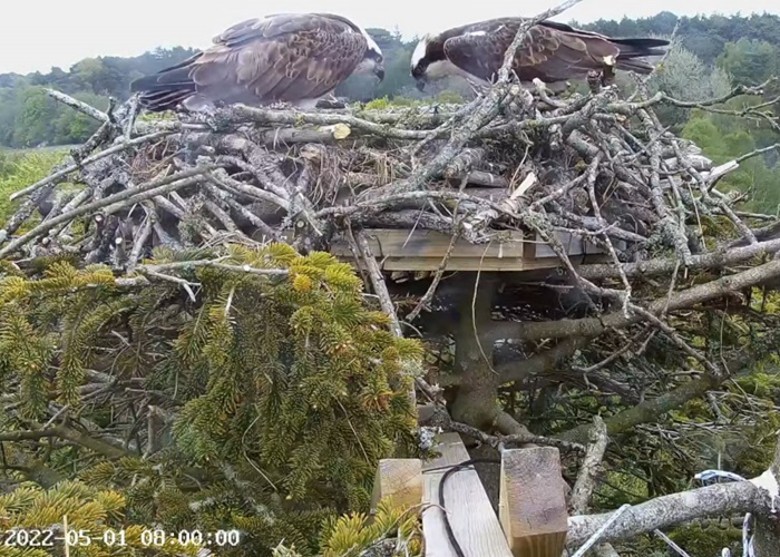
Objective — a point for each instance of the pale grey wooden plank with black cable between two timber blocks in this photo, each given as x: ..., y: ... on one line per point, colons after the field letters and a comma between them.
x: 472, y: 519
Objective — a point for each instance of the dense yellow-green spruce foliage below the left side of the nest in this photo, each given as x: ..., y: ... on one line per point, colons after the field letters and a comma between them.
x: 279, y: 387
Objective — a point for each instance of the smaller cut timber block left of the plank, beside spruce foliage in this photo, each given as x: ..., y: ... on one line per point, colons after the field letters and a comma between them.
x: 399, y: 480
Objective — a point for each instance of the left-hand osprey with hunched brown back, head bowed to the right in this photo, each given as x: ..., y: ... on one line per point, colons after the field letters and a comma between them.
x: 289, y: 58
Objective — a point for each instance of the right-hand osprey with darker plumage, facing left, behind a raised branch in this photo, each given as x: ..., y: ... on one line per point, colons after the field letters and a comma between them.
x: 552, y: 52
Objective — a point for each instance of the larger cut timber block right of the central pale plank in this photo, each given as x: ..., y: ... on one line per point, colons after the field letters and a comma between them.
x: 532, y: 504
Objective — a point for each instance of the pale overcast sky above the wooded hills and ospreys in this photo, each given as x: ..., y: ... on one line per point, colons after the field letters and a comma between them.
x: 37, y: 35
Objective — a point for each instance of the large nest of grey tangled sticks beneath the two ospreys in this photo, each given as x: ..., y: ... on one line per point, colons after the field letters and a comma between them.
x: 594, y: 165
